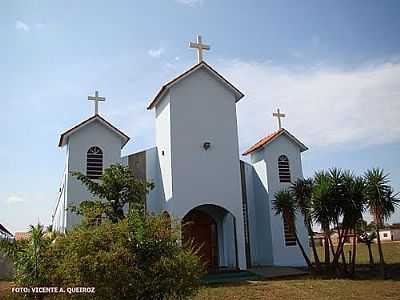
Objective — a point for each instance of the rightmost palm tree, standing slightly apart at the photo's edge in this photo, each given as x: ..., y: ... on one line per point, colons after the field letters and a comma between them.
x: 381, y: 204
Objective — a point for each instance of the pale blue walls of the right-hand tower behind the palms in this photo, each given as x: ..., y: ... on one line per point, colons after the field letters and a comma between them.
x: 281, y: 254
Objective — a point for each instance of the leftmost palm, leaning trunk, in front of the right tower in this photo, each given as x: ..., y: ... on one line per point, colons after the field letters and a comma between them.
x: 285, y: 205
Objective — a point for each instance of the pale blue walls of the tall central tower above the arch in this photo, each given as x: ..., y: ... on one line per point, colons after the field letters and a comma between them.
x: 199, y: 109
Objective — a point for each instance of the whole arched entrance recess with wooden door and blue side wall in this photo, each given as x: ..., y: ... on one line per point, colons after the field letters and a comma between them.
x: 212, y: 230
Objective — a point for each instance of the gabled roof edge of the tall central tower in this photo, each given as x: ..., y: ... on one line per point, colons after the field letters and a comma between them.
x: 239, y: 95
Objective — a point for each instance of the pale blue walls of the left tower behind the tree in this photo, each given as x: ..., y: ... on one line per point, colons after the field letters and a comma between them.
x: 93, y: 134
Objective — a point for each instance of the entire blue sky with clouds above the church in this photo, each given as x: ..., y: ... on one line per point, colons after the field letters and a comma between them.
x: 332, y: 66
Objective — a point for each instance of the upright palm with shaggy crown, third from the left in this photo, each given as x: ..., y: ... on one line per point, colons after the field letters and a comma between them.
x: 323, y: 206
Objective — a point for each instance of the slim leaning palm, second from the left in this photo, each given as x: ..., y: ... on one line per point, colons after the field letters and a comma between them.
x: 302, y: 192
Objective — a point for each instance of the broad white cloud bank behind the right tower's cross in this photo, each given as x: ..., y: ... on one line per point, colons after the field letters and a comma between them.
x: 324, y: 106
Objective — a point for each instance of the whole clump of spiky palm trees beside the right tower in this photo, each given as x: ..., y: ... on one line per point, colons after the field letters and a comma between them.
x: 336, y: 200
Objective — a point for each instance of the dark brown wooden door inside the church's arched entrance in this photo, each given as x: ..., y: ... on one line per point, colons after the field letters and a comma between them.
x: 200, y: 228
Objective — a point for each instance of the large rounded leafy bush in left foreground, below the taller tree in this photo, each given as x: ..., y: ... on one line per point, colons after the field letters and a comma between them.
x: 136, y: 258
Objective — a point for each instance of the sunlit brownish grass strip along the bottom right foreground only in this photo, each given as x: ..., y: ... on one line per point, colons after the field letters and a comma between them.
x: 305, y: 288
